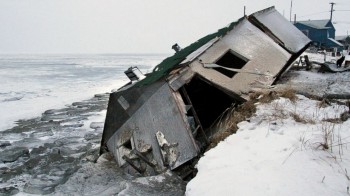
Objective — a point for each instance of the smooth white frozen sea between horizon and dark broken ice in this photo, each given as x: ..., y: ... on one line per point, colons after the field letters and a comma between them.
x: 31, y: 84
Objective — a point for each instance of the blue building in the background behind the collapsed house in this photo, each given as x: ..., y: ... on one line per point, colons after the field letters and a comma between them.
x: 321, y: 32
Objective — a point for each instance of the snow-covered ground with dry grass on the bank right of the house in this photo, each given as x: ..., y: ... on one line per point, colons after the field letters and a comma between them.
x: 273, y: 154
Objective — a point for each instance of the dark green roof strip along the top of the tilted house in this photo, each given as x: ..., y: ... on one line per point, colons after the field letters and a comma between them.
x: 169, y: 63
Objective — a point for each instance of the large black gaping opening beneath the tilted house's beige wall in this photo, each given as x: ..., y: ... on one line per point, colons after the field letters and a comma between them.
x: 208, y: 101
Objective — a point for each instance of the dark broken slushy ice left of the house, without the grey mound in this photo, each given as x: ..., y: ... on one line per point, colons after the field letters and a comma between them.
x: 49, y: 148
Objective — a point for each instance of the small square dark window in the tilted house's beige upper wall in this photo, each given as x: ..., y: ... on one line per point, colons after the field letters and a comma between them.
x: 230, y: 60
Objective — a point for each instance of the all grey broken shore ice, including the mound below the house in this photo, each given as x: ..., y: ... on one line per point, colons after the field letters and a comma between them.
x: 58, y: 153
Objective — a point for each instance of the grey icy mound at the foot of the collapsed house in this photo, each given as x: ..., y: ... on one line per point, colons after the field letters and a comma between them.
x: 106, y: 178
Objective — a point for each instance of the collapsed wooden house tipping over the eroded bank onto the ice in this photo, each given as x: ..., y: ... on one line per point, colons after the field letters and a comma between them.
x: 164, y: 120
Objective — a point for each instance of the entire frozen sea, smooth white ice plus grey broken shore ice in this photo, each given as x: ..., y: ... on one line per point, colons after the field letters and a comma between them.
x: 52, y: 111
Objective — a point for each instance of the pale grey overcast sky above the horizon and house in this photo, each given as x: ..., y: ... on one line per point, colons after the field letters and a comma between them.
x: 135, y: 26
